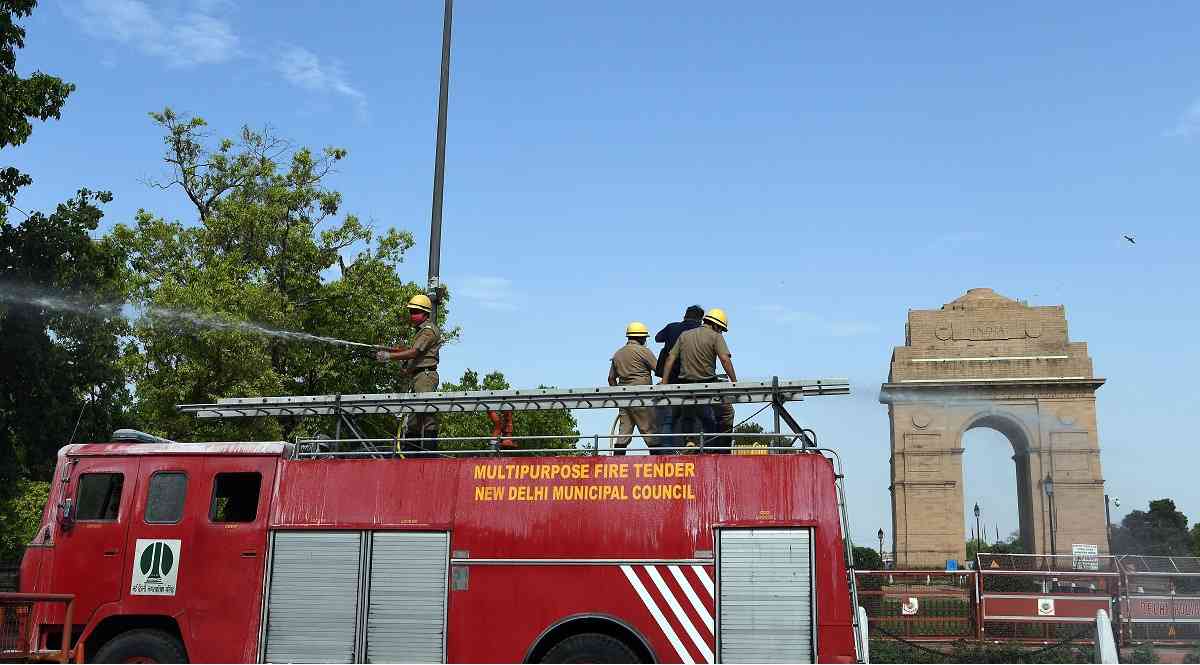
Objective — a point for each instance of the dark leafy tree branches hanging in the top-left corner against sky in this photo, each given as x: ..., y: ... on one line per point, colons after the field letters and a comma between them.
x: 39, y: 97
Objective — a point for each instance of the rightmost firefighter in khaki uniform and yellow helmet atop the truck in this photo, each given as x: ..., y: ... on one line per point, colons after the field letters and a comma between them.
x: 697, y: 354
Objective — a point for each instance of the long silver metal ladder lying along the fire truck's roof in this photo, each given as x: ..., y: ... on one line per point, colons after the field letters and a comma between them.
x: 609, y: 397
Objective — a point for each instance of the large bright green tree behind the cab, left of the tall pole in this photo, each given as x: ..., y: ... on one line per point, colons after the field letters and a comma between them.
x: 268, y: 247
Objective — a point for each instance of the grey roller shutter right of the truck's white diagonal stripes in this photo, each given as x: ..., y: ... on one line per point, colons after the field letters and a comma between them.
x: 765, y: 588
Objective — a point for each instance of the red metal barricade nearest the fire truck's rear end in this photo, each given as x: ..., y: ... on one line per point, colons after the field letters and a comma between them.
x: 920, y: 606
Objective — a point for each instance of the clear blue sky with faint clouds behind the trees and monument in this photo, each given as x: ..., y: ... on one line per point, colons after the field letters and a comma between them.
x: 815, y: 171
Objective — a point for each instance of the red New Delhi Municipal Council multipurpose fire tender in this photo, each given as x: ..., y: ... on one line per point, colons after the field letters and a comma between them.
x: 250, y: 553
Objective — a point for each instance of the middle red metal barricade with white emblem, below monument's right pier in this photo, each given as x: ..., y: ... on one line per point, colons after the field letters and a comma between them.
x: 1041, y: 598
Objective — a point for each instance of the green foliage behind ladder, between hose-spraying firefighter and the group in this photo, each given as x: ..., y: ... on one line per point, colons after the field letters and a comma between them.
x: 542, y: 423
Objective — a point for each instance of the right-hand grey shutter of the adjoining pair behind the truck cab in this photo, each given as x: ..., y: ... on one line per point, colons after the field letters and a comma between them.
x: 406, y: 614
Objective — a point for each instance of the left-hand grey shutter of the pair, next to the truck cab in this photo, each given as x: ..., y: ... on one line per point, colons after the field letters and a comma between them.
x: 311, y: 616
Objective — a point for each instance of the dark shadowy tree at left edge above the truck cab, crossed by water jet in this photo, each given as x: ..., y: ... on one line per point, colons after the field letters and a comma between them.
x: 58, y: 368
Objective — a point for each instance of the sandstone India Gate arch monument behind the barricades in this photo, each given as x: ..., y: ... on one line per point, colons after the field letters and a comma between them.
x: 985, y: 361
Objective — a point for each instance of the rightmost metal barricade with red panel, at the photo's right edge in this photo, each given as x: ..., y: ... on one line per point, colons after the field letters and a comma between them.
x: 1161, y: 598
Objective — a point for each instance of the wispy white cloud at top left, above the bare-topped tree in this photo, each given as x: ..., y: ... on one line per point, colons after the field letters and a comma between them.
x: 183, y: 40
